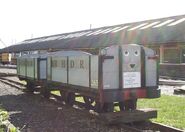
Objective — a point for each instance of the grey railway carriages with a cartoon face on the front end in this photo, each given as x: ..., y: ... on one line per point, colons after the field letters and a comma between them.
x: 118, y: 75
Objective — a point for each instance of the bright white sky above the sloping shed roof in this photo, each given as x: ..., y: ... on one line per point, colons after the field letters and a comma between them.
x: 23, y: 19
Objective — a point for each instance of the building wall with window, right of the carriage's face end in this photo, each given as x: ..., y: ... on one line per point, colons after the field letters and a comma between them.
x: 172, y: 60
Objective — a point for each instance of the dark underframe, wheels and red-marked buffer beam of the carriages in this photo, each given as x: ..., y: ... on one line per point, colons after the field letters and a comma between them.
x: 101, y: 101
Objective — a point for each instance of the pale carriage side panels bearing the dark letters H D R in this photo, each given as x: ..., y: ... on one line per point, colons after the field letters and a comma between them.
x: 77, y: 64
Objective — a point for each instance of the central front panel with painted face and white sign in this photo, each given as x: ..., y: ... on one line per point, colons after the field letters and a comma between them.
x: 131, y: 66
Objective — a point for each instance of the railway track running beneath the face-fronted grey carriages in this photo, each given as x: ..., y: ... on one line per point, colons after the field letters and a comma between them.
x: 132, y: 127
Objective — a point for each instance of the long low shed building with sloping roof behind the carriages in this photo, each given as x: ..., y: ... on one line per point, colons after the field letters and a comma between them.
x: 166, y: 36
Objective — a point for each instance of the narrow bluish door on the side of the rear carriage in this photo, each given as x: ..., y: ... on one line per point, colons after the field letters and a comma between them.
x: 42, y: 68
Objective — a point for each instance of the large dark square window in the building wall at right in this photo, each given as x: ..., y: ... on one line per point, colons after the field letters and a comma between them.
x: 171, y: 56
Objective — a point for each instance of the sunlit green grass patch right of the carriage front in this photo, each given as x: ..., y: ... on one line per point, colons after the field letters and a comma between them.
x: 171, y: 109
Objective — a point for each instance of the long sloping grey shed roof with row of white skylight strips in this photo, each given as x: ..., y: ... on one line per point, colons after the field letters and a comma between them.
x: 157, y: 31
